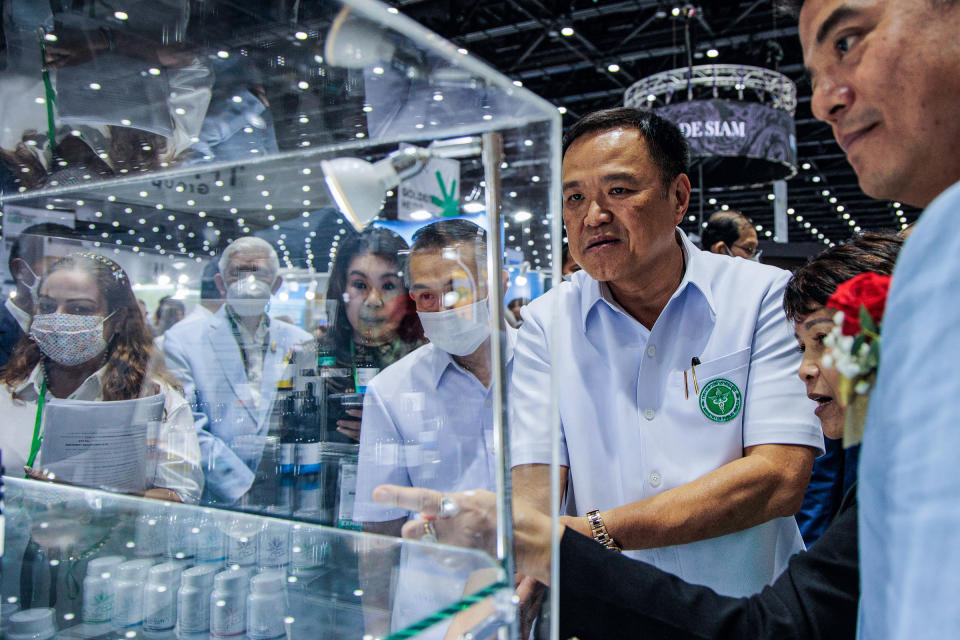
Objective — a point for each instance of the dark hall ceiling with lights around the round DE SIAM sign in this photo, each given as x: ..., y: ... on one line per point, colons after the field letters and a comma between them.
x: 583, y: 54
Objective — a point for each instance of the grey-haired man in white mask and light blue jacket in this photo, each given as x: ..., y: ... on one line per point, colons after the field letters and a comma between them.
x: 229, y: 365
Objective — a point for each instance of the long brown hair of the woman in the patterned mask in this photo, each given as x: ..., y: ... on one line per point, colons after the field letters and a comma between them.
x: 128, y: 351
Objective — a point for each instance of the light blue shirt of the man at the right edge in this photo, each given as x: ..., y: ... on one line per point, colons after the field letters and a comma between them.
x: 910, y: 458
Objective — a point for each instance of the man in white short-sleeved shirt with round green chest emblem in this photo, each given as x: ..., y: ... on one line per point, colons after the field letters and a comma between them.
x: 687, y: 437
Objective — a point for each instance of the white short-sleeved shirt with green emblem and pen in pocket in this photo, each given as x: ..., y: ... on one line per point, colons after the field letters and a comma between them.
x: 631, y: 425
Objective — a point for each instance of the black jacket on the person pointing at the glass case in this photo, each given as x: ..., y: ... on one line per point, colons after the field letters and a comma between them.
x: 606, y: 595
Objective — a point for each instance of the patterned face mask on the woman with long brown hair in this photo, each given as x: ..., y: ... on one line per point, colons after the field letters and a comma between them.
x: 67, y: 338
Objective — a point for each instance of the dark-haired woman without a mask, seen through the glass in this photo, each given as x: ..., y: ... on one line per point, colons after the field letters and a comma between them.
x: 375, y: 323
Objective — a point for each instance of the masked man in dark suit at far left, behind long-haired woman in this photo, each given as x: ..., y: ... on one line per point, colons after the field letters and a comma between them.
x: 36, y: 247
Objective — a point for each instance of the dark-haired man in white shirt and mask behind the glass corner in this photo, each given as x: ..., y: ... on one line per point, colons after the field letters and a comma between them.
x: 428, y: 418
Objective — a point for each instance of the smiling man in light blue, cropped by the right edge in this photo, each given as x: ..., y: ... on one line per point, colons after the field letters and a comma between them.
x: 885, y: 78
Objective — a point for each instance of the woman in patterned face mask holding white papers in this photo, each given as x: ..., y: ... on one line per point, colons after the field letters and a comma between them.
x: 88, y: 341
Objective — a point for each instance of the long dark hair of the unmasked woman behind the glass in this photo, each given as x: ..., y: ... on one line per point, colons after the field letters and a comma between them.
x: 387, y: 246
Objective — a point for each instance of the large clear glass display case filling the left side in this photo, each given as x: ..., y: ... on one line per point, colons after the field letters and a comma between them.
x: 259, y: 260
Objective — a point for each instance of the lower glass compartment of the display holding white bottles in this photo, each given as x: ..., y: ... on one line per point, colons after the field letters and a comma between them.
x: 81, y: 563
